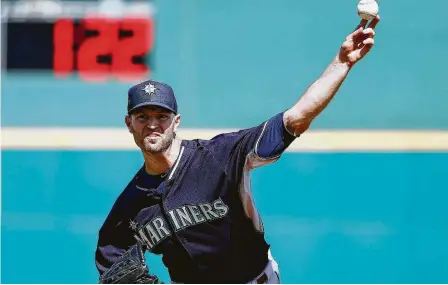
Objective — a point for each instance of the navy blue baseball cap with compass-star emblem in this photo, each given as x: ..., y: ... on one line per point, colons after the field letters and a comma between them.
x: 151, y: 93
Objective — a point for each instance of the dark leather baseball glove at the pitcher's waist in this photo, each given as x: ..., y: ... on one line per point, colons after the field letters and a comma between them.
x: 131, y: 268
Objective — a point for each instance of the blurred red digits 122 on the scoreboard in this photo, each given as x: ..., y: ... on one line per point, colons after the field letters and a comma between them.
x: 107, y: 42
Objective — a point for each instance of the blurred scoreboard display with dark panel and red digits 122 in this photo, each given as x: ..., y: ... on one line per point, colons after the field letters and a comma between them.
x: 97, y: 48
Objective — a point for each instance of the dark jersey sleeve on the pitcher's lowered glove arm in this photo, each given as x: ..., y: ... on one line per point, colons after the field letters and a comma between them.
x: 114, y: 237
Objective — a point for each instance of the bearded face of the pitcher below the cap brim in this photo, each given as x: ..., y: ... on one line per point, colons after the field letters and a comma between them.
x: 153, y: 128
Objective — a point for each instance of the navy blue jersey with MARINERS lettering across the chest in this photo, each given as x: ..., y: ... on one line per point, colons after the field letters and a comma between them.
x: 201, y: 216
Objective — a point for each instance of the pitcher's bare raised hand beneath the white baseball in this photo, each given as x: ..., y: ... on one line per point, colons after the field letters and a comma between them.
x: 358, y: 43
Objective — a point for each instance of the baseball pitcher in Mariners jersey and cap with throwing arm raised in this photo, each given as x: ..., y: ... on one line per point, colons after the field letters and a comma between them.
x: 191, y: 201
